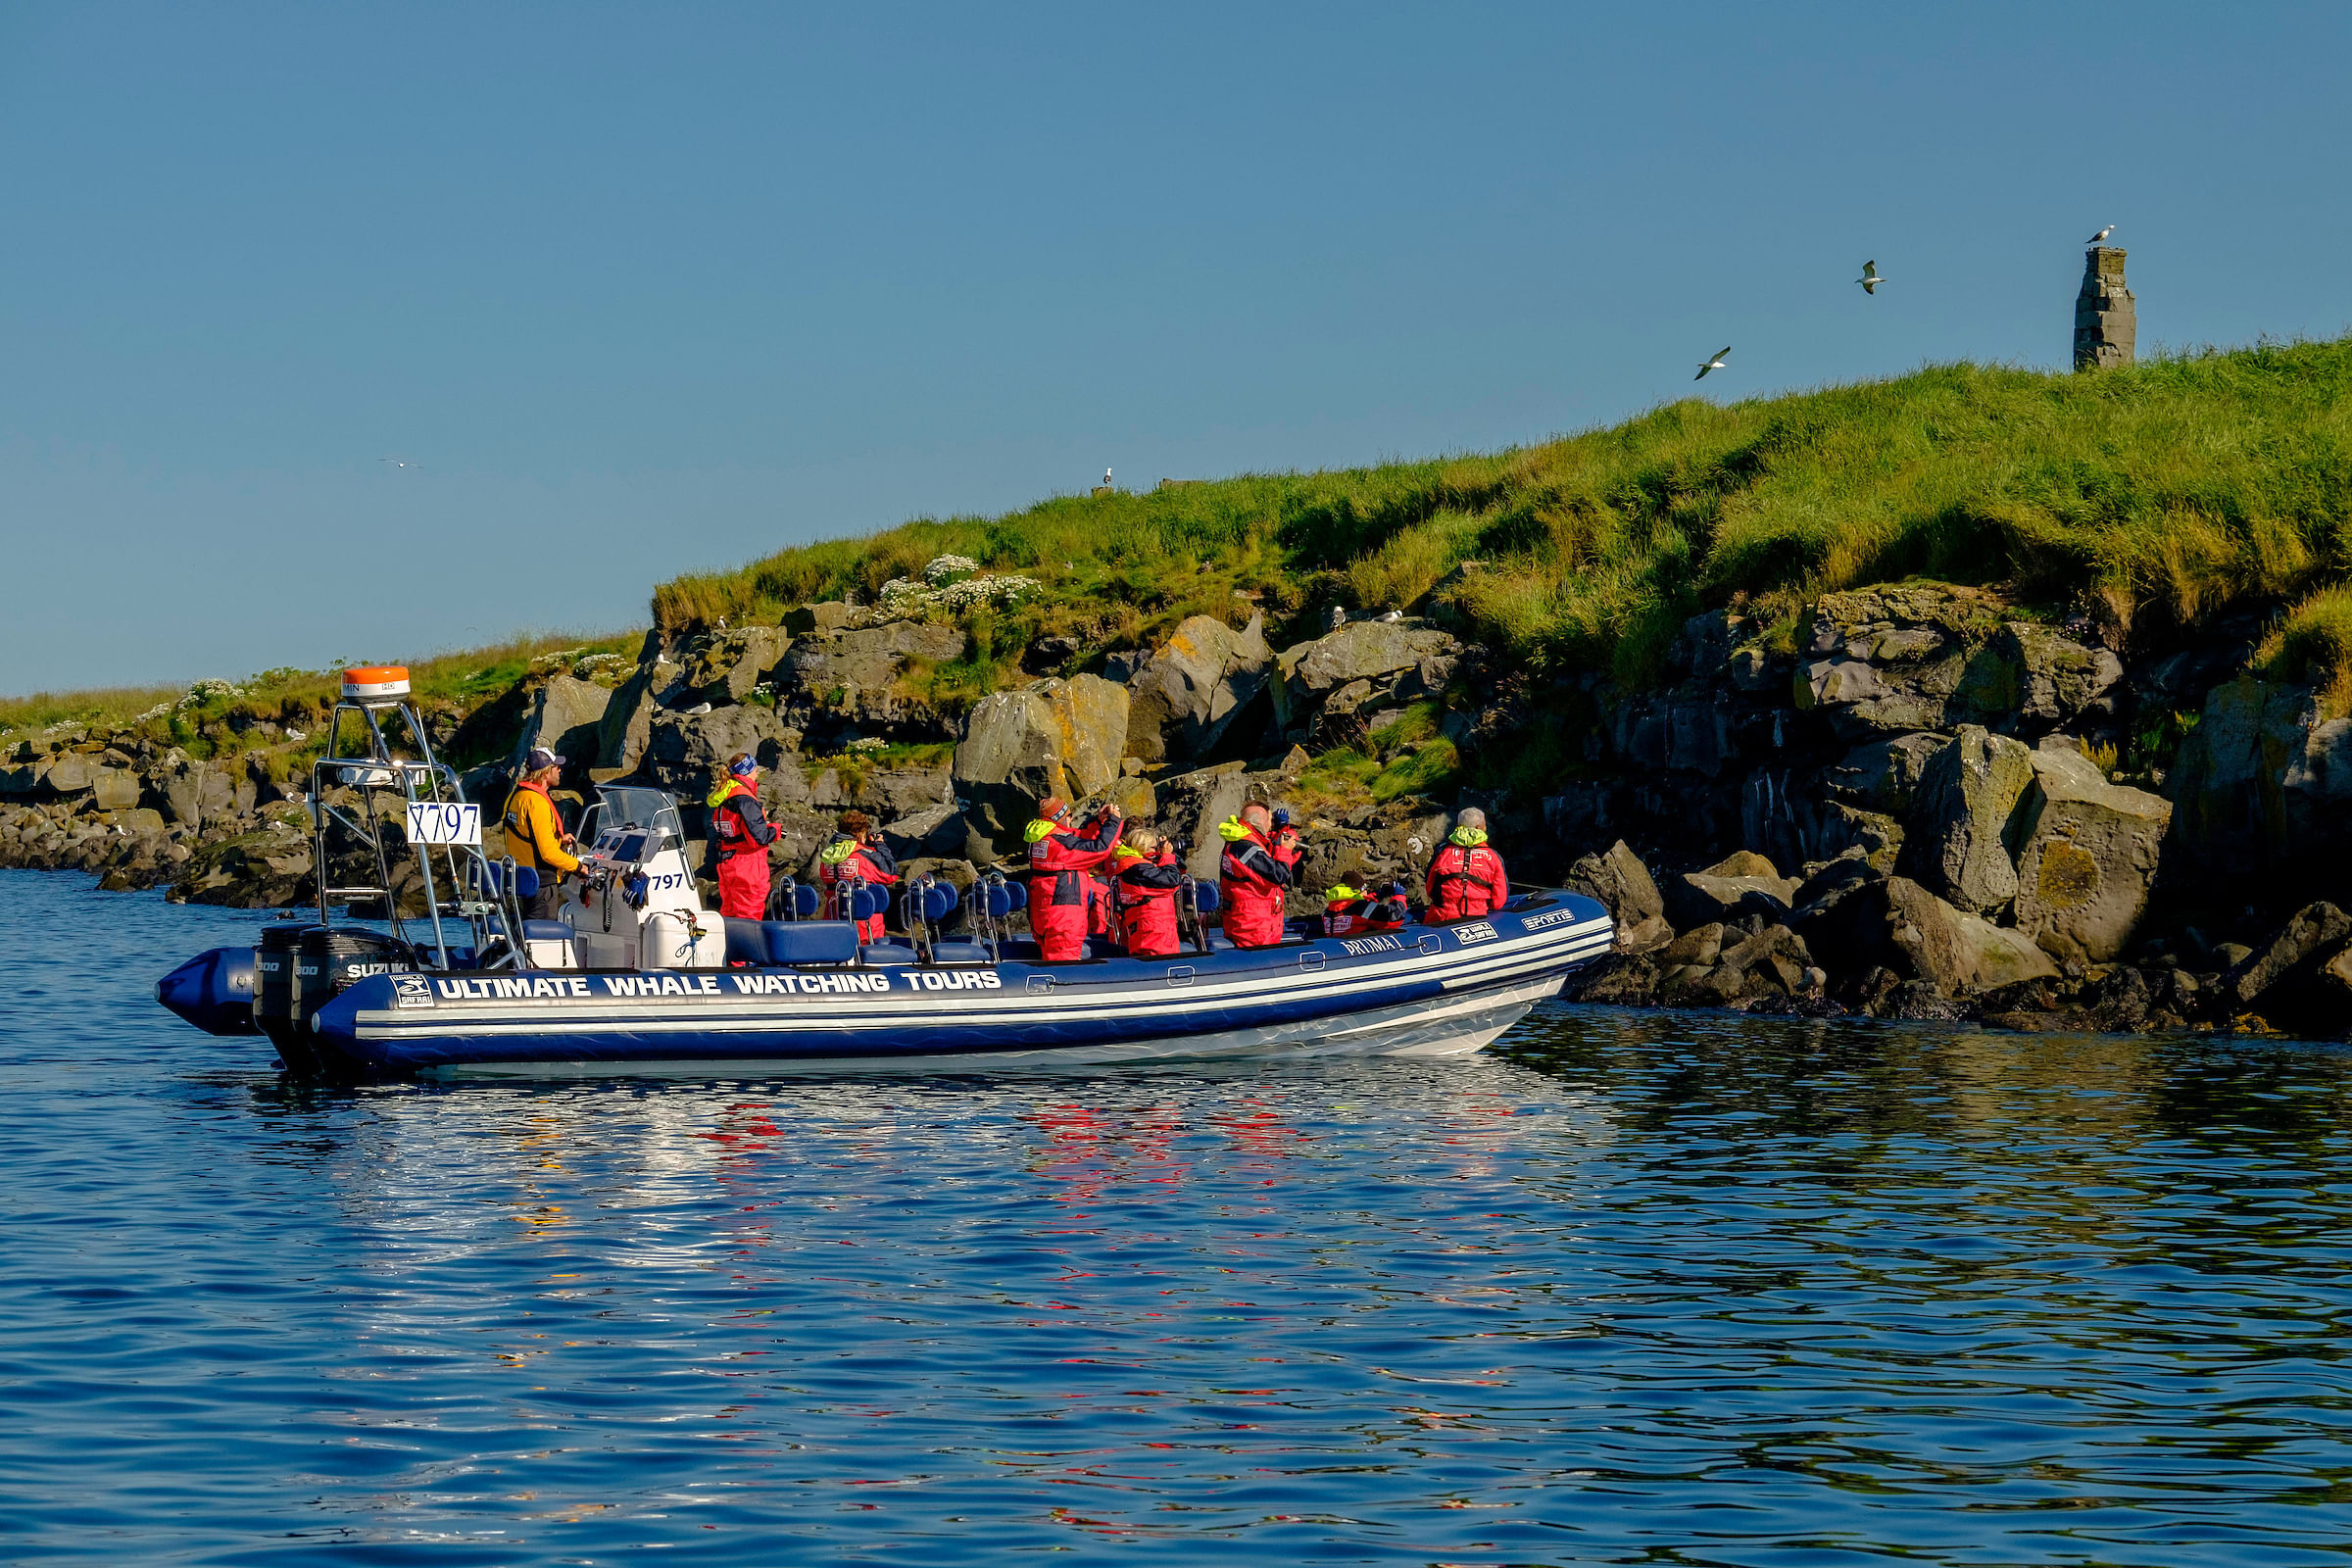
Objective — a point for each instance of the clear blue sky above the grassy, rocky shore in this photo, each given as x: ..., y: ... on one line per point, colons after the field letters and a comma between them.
x: 660, y: 288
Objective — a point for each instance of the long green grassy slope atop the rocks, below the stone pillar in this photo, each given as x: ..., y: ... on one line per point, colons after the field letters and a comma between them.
x: 2163, y: 492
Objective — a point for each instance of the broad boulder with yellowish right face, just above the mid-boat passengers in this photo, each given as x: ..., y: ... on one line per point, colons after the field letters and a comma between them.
x: 1055, y: 737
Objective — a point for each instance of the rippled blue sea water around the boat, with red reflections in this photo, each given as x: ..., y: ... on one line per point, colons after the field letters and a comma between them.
x: 1643, y: 1289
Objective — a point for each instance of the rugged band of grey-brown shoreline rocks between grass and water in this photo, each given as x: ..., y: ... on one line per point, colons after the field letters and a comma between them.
x: 1918, y: 798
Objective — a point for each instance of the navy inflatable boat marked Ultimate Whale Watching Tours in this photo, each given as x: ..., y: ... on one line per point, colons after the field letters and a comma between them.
x: 641, y: 979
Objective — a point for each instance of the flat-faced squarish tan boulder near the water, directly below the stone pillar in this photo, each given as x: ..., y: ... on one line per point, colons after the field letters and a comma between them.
x: 2087, y: 857
